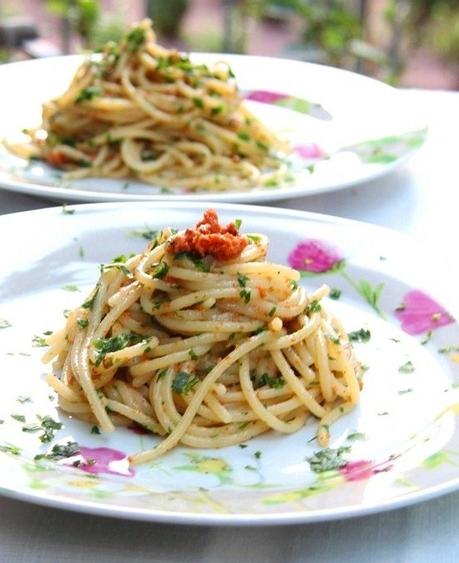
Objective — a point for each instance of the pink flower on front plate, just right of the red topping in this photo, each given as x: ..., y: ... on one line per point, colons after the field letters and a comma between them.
x: 313, y: 256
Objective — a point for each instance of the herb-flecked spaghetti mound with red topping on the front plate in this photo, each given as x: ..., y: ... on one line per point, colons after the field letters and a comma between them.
x: 202, y: 341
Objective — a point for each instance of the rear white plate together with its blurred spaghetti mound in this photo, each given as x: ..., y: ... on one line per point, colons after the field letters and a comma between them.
x: 139, y: 121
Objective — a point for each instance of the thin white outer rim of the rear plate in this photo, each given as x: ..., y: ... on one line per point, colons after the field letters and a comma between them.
x: 266, y: 195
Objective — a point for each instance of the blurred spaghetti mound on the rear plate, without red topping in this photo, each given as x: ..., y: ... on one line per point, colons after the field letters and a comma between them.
x: 141, y: 110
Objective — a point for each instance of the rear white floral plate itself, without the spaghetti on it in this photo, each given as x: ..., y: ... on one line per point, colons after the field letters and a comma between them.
x: 345, y: 128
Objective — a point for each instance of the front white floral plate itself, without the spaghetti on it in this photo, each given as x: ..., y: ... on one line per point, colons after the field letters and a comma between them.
x: 401, y: 445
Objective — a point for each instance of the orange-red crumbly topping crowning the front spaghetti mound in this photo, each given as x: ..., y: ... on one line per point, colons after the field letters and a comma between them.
x: 210, y: 238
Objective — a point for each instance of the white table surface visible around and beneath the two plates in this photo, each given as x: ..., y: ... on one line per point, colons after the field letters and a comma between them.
x: 421, y: 199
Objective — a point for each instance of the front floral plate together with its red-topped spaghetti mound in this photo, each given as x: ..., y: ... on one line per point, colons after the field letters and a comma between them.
x: 235, y: 365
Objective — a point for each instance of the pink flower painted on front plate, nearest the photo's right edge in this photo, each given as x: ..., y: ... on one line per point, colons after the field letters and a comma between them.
x: 419, y: 313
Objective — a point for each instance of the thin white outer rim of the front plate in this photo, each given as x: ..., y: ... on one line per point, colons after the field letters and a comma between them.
x: 234, y: 519
